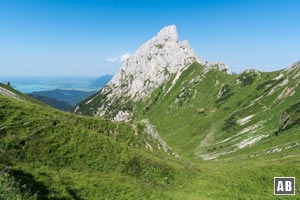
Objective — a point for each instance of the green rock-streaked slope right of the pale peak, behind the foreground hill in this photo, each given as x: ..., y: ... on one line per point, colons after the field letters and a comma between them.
x: 205, y: 113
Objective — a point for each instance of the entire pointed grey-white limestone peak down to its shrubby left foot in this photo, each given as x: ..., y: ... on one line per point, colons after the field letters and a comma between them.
x: 155, y: 62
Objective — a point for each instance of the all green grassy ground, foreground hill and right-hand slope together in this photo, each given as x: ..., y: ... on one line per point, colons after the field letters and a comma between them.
x: 64, y: 156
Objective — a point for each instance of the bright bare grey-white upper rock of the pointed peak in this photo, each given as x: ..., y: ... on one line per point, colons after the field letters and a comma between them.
x: 151, y: 65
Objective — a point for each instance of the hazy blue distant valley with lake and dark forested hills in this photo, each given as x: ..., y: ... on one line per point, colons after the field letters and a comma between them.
x: 59, y: 92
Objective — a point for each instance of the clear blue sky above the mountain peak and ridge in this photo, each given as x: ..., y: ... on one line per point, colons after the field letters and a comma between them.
x: 83, y: 37
